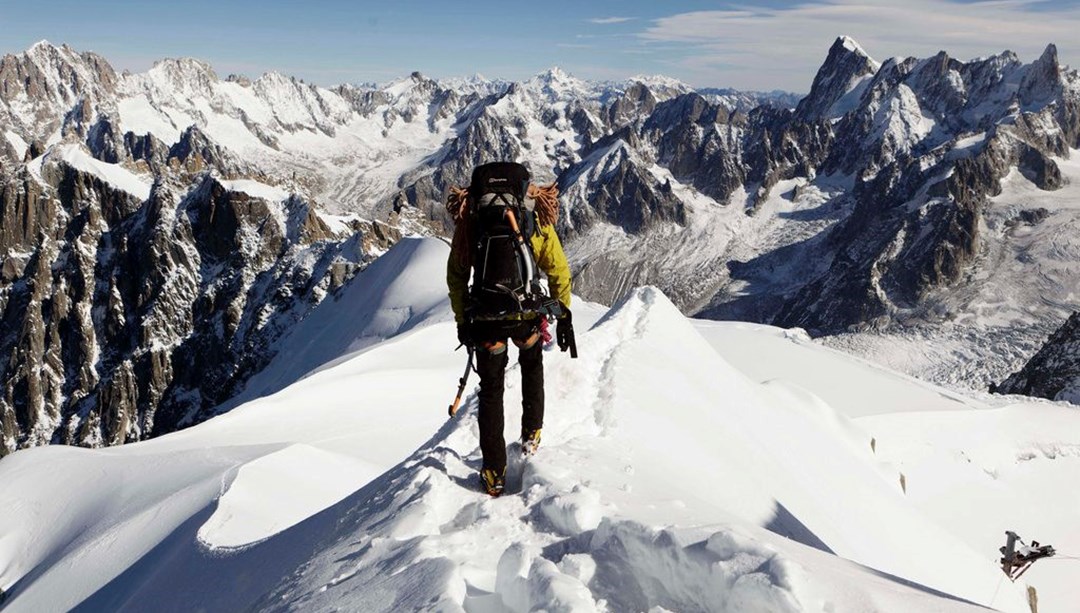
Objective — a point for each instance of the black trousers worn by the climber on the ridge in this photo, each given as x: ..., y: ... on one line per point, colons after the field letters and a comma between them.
x: 492, y: 360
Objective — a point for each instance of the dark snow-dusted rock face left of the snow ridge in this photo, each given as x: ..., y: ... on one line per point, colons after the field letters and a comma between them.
x: 126, y: 320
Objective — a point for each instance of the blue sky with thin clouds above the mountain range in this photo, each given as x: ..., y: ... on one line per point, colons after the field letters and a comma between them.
x: 753, y: 46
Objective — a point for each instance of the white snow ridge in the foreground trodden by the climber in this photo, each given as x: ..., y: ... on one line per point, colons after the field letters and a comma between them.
x: 685, y: 466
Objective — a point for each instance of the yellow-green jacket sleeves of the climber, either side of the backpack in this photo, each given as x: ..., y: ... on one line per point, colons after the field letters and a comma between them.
x: 550, y: 258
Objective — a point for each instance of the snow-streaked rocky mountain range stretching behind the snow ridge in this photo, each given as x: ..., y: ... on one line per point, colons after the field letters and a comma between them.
x: 160, y: 230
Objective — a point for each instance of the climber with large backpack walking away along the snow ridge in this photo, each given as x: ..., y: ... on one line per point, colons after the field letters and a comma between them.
x: 505, y: 231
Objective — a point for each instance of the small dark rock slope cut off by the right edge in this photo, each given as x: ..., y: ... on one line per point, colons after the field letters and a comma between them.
x: 1055, y: 372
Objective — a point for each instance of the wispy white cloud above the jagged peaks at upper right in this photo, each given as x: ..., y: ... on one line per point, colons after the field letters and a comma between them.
x: 766, y: 48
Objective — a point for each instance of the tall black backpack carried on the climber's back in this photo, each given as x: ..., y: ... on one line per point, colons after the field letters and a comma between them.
x: 506, y: 280
